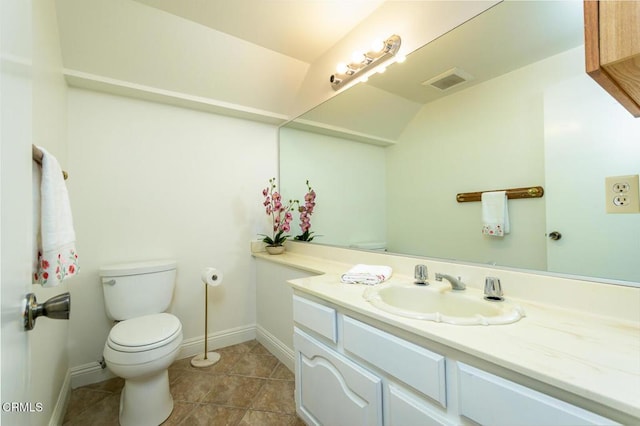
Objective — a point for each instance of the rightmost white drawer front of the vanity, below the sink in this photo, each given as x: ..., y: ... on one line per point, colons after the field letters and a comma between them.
x: 492, y: 400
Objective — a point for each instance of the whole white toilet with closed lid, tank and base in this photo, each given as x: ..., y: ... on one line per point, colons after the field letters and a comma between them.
x: 145, y: 341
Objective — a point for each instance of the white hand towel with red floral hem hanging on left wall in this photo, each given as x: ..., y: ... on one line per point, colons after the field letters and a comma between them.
x: 57, y: 258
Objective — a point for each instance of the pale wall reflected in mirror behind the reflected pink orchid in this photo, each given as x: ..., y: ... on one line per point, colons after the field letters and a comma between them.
x: 349, y: 181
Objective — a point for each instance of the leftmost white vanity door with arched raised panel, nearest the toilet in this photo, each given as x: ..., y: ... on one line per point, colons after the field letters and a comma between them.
x: 331, y: 390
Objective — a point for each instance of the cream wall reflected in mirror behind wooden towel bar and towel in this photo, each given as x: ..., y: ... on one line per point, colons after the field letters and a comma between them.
x: 490, y: 136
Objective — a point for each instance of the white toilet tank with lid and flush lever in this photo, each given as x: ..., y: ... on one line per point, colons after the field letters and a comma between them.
x: 135, y: 289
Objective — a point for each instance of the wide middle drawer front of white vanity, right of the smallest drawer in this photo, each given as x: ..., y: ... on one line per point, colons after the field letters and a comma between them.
x: 416, y: 366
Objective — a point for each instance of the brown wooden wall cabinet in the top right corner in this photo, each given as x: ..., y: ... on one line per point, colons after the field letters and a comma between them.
x: 612, y: 48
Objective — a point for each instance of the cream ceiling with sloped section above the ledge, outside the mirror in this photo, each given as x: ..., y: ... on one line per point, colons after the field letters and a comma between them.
x: 244, y: 56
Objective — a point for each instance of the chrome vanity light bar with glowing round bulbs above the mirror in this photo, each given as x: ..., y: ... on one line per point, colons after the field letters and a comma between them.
x: 361, y: 62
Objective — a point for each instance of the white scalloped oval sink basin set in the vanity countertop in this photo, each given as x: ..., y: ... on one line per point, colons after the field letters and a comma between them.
x: 442, y: 305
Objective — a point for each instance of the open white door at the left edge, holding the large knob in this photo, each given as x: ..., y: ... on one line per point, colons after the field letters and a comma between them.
x: 15, y: 205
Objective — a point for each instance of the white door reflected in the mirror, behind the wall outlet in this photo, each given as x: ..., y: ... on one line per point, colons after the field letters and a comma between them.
x: 589, y: 136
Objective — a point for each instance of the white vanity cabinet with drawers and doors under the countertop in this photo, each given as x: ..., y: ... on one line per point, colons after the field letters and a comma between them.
x: 349, y: 371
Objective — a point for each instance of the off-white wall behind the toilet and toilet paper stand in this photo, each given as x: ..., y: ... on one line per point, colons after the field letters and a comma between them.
x: 153, y: 181
